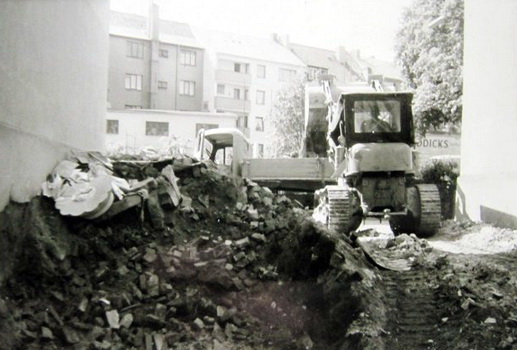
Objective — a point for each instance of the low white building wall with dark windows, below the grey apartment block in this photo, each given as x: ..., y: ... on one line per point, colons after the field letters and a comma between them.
x: 182, y: 128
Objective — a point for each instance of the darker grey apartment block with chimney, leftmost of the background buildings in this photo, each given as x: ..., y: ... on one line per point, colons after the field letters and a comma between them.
x: 154, y: 64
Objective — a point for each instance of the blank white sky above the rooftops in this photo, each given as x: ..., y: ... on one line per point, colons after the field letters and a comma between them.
x: 366, y: 25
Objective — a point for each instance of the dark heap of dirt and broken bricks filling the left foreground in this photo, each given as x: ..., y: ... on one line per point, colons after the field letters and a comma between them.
x: 233, y: 267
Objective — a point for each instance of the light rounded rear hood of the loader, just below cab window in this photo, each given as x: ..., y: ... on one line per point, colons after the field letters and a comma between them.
x: 379, y: 157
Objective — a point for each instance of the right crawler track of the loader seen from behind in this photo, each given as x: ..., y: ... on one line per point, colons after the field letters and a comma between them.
x: 424, y: 212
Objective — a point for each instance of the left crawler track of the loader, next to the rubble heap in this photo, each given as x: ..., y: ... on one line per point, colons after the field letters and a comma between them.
x: 339, y: 209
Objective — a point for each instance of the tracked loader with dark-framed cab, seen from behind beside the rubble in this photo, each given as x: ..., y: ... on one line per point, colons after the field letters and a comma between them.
x: 370, y: 139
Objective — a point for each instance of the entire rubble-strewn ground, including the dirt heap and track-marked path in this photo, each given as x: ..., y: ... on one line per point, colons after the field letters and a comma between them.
x: 239, y: 267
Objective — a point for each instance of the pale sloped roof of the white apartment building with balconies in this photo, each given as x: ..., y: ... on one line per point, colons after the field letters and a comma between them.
x: 246, y: 46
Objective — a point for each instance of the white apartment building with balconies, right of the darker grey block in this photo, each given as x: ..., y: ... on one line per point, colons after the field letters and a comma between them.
x: 243, y: 75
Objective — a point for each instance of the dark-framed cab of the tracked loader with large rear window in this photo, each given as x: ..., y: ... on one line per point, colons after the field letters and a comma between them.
x: 376, y: 117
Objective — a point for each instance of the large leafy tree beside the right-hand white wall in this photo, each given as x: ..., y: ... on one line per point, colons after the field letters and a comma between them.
x: 430, y: 50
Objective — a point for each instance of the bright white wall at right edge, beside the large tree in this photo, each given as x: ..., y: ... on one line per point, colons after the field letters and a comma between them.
x: 488, y: 183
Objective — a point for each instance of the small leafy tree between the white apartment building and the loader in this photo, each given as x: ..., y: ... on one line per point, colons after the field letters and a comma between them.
x: 287, y: 120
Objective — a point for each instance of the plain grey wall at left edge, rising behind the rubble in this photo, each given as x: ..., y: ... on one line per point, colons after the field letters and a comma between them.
x: 53, y: 73
